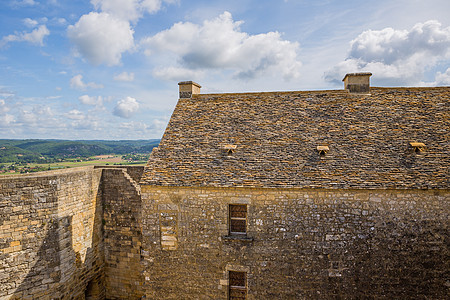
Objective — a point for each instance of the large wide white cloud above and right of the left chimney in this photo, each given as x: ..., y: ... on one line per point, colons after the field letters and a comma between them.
x: 220, y: 44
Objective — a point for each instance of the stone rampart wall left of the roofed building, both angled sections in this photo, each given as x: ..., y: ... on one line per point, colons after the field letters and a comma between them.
x: 70, y: 234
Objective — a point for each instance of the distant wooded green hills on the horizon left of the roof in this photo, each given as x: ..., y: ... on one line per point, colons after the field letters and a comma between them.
x: 47, y: 150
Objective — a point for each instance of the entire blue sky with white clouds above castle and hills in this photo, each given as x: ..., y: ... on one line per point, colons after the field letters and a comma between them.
x: 109, y: 69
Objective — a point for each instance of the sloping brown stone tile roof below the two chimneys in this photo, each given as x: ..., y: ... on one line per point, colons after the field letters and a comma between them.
x: 276, y: 137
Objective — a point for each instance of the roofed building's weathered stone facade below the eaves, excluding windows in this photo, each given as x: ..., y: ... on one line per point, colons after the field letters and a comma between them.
x: 301, y: 244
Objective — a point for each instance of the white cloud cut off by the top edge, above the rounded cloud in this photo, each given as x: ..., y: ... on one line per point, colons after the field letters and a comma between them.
x: 129, y: 10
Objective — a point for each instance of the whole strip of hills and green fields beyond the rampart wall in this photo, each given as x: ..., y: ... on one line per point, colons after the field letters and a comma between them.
x: 27, y: 156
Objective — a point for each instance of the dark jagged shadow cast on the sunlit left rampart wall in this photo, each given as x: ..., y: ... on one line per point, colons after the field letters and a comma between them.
x: 60, y: 272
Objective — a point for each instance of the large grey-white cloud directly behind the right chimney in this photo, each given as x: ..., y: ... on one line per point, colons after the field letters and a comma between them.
x: 400, y: 56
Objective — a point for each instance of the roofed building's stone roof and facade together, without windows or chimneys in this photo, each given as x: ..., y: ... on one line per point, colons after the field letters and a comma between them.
x: 367, y: 216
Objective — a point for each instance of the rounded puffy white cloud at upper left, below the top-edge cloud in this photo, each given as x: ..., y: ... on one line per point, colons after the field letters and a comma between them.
x: 101, y: 38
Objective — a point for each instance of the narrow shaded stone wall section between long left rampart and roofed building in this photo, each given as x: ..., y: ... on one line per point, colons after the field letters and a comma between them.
x: 122, y: 233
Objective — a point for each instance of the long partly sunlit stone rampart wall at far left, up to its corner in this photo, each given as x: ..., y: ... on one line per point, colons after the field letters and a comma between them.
x: 50, y: 235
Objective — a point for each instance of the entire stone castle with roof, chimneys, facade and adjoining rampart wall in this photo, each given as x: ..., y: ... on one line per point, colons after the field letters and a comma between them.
x: 339, y: 194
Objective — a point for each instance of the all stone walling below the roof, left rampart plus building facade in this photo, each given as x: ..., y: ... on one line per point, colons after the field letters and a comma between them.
x: 94, y: 233
